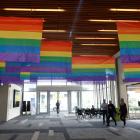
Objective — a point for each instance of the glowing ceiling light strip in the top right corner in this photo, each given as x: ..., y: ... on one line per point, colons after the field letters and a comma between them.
x: 124, y: 10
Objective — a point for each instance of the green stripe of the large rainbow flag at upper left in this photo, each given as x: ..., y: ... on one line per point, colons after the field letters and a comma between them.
x: 19, y: 42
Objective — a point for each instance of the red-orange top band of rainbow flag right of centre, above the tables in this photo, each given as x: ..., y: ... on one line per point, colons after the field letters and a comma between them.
x: 92, y: 60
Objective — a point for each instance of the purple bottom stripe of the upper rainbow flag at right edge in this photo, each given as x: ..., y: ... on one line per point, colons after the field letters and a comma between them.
x: 130, y: 59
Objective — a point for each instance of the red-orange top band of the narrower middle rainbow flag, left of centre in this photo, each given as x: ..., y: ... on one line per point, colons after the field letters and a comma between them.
x: 56, y: 46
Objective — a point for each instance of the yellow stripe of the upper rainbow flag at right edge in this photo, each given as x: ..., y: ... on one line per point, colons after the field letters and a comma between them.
x: 129, y: 37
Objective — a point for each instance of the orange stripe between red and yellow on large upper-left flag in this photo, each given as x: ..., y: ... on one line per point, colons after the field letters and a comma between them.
x: 21, y: 27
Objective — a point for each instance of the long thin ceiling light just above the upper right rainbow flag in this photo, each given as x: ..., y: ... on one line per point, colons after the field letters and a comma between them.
x: 111, y: 20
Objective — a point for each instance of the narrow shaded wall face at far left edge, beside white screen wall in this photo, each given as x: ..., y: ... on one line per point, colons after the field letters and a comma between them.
x: 3, y: 102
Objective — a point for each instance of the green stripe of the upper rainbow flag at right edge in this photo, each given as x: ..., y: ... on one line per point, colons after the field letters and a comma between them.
x: 129, y: 44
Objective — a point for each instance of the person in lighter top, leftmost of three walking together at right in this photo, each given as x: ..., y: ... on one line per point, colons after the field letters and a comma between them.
x: 104, y: 111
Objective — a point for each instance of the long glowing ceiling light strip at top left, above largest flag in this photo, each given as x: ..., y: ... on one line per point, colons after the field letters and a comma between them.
x: 34, y: 10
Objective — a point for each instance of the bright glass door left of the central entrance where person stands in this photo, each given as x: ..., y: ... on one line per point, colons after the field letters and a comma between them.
x: 43, y: 102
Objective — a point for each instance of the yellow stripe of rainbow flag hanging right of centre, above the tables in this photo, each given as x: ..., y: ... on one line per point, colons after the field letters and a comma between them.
x: 88, y: 66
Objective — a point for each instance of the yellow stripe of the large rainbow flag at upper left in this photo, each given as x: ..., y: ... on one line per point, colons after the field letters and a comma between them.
x: 20, y: 35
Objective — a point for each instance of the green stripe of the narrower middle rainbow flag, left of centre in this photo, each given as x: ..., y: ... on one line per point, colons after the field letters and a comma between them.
x: 55, y: 59
